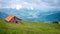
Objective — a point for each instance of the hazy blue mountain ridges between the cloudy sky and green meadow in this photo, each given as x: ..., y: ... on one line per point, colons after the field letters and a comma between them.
x: 34, y: 15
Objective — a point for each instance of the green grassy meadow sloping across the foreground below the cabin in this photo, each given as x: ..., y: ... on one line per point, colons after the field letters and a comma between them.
x: 28, y: 28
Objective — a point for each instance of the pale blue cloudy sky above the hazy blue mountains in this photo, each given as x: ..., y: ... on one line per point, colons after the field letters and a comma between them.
x: 29, y: 4
